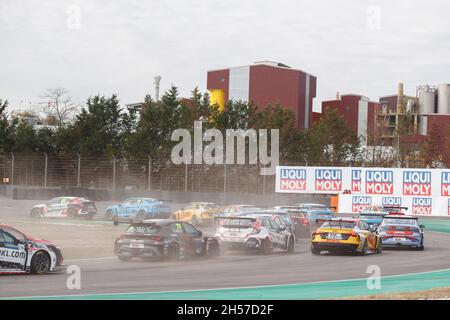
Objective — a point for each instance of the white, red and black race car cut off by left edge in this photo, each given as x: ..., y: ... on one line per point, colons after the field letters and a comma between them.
x: 18, y: 254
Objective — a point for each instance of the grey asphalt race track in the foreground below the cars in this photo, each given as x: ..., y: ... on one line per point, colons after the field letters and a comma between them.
x: 108, y: 275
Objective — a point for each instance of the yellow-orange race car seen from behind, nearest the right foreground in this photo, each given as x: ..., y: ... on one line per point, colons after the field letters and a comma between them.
x: 345, y: 235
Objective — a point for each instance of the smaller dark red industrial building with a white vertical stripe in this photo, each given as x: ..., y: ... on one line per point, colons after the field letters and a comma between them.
x: 358, y: 111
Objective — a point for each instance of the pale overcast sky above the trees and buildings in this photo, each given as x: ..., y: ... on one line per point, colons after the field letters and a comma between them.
x: 106, y: 47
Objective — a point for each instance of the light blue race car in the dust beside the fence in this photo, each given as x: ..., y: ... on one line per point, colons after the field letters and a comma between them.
x: 138, y: 210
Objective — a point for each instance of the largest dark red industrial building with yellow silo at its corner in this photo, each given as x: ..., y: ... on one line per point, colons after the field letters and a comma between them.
x: 265, y: 83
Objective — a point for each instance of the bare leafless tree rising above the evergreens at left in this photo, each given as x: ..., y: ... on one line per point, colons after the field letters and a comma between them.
x: 59, y: 107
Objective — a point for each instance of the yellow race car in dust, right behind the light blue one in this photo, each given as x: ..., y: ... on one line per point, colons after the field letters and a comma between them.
x: 198, y: 213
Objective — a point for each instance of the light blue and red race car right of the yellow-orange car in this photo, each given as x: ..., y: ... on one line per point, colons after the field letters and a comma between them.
x: 401, y: 231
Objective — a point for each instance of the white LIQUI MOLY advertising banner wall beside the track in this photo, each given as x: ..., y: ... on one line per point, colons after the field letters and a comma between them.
x: 422, y: 191
